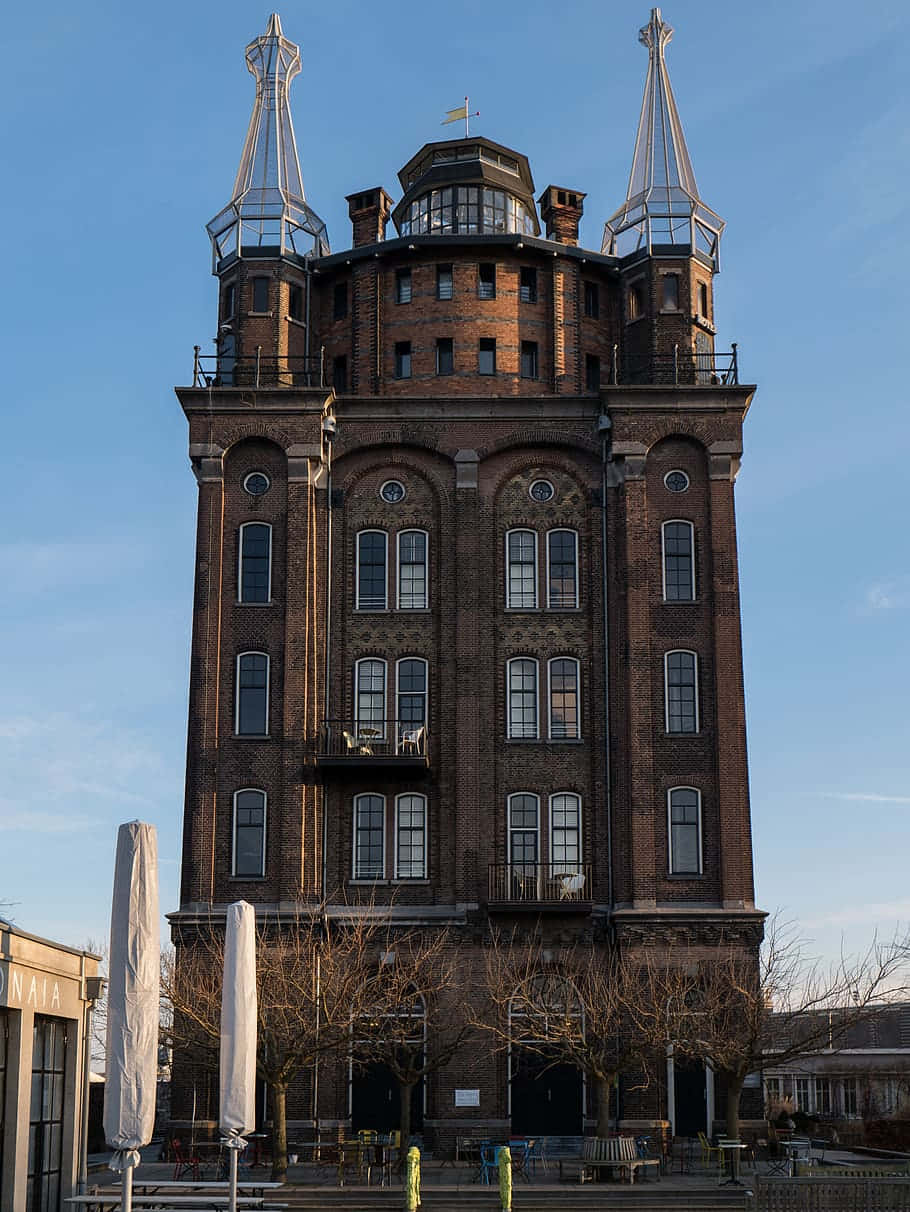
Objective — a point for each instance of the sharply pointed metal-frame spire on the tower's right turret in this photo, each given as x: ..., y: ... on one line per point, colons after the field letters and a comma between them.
x: 662, y: 205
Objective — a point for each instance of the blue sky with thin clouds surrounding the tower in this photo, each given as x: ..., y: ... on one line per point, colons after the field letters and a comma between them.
x: 122, y: 132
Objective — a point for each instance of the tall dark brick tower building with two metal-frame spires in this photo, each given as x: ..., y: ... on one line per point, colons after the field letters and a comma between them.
x: 466, y: 633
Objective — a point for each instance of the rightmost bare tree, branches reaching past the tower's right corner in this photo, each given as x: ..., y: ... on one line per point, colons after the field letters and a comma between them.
x: 780, y: 1005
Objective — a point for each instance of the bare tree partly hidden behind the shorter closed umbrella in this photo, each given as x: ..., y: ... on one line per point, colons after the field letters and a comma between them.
x: 311, y: 980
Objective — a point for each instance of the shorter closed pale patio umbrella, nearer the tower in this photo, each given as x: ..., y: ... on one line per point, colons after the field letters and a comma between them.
x: 238, y: 1036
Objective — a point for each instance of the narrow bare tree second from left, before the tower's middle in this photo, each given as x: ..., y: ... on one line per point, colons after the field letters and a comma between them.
x: 415, y: 1016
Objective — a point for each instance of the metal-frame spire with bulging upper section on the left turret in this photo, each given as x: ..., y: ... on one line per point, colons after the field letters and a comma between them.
x: 268, y: 213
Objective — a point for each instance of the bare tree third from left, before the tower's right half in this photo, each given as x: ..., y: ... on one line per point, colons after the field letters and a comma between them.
x: 606, y: 1014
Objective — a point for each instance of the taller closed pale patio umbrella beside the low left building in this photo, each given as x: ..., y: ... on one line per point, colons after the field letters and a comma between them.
x: 131, y: 1082
